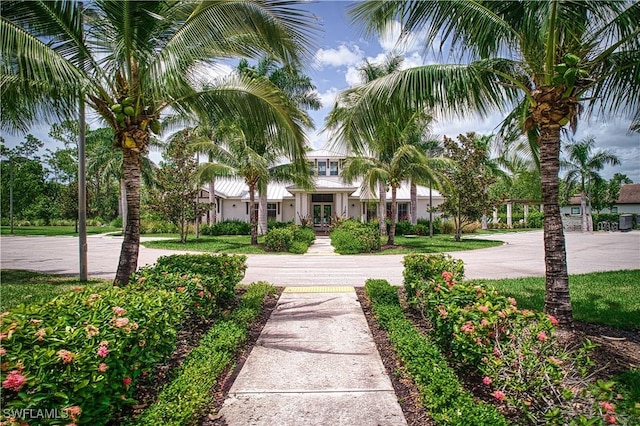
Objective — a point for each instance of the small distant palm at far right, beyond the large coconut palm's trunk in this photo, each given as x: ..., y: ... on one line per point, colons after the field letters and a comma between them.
x: 582, y: 165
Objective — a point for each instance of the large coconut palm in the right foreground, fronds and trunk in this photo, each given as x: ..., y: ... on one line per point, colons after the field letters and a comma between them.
x: 542, y: 60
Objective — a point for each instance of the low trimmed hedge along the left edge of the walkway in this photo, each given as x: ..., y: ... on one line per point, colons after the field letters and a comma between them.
x: 181, y: 402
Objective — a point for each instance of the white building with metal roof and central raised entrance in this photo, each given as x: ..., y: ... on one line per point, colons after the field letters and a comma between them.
x: 330, y: 198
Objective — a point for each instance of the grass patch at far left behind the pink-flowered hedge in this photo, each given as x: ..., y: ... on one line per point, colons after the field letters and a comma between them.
x: 29, y: 287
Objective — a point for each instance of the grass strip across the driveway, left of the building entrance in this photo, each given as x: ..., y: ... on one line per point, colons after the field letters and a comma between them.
x: 235, y: 244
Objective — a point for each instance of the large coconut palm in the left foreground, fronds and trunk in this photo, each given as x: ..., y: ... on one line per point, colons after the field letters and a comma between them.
x: 134, y: 60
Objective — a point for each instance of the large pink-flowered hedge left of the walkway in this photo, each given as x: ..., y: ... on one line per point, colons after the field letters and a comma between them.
x: 82, y: 352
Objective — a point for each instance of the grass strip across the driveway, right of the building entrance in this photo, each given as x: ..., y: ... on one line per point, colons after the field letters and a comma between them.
x: 439, y: 243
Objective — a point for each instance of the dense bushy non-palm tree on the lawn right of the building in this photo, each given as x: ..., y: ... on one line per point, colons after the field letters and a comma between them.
x: 467, y: 198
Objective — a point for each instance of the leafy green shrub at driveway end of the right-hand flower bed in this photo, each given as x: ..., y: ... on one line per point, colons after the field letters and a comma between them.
x: 421, y: 268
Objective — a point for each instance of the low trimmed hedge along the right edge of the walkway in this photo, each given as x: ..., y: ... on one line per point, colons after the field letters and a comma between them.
x: 442, y: 394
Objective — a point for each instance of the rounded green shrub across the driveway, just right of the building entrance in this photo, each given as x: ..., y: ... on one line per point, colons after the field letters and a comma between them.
x: 351, y: 237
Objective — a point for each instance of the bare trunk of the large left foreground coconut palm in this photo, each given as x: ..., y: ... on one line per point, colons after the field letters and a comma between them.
x: 131, y: 244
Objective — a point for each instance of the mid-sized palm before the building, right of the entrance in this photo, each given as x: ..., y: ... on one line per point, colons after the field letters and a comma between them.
x: 407, y: 164
